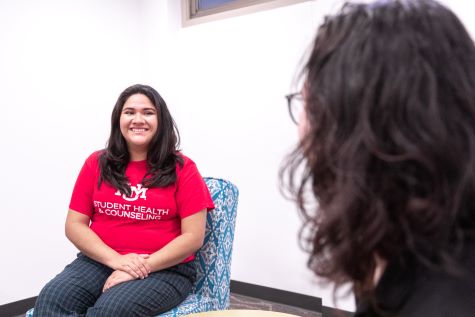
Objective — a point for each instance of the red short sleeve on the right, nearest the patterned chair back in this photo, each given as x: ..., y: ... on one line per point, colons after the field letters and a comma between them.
x: 192, y: 194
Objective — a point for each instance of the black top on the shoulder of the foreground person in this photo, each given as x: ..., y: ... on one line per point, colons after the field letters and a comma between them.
x: 412, y: 290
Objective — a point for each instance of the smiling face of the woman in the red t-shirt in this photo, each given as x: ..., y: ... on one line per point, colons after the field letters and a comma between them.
x: 138, y: 122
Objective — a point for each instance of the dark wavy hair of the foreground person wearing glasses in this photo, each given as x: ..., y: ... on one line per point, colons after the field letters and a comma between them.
x: 389, y: 152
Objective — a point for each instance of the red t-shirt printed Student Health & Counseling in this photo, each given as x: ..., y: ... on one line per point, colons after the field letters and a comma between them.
x: 147, y: 220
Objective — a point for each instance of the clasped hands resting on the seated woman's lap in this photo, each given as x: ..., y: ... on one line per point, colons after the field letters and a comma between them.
x: 127, y: 267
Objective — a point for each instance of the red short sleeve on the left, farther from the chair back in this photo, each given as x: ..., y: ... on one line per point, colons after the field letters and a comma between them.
x: 81, y: 198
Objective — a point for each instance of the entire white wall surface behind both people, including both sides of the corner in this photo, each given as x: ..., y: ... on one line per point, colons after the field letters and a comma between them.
x: 63, y: 64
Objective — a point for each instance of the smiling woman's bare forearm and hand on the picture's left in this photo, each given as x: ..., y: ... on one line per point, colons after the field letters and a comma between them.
x: 78, y: 232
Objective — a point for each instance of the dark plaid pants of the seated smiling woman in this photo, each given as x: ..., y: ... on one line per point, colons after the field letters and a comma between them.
x: 77, y: 291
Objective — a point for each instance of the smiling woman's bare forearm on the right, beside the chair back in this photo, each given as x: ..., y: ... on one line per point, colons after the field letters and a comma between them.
x: 191, y: 239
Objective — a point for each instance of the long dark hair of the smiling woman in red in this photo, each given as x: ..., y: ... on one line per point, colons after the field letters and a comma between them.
x: 162, y: 155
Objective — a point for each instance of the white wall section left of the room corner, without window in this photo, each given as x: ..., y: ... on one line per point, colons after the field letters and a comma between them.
x: 62, y: 65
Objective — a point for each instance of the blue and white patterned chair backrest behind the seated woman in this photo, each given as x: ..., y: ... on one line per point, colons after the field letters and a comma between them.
x: 213, y: 260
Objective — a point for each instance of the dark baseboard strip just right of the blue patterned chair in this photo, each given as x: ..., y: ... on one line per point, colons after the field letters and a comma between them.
x: 277, y: 295
